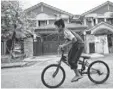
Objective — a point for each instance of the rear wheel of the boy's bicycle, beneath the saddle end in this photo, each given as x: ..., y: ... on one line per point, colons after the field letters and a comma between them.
x: 98, y: 72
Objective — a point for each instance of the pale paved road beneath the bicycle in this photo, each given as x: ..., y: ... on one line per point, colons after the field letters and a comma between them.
x: 30, y: 77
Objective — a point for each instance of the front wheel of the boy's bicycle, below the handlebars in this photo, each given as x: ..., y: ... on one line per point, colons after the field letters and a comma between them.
x: 52, y: 76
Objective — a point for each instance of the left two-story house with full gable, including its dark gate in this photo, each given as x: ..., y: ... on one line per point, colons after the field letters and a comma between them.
x: 42, y: 16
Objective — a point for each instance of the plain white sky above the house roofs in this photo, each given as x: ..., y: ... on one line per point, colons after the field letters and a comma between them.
x: 76, y: 7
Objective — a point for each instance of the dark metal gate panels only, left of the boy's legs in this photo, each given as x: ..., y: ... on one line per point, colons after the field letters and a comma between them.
x: 47, y: 47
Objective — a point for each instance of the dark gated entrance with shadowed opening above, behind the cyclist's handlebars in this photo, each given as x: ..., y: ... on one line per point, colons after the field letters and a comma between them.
x: 48, y: 45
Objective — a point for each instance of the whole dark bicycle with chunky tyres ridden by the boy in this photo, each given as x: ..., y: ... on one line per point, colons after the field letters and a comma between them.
x: 91, y: 68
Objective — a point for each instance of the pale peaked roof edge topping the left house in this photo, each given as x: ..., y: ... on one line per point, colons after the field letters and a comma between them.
x: 44, y: 4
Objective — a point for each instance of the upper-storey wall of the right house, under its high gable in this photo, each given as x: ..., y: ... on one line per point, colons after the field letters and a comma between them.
x: 100, y: 12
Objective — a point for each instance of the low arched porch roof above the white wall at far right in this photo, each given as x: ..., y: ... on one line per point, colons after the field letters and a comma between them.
x: 99, y: 27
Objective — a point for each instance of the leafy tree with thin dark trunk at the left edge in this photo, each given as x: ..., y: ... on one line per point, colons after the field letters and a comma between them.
x: 13, y: 23
